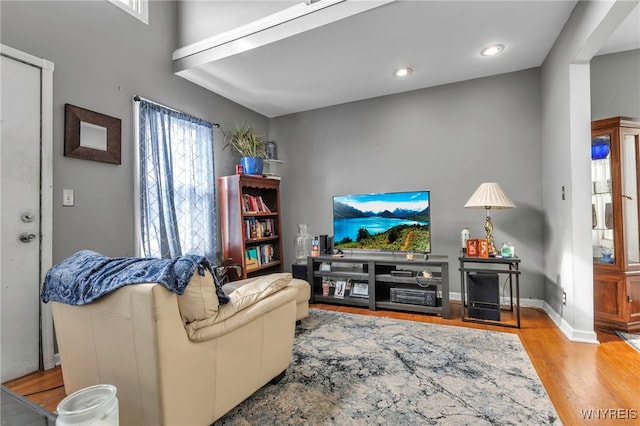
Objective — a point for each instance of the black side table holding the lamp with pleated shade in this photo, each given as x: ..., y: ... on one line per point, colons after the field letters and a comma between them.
x: 480, y: 298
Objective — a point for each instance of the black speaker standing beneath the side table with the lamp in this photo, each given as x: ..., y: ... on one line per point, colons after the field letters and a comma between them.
x: 484, y: 295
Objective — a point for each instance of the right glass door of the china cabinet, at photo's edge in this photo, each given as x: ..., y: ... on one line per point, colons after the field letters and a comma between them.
x: 629, y: 162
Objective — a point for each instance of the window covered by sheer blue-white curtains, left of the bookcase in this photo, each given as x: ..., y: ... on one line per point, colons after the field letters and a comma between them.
x: 175, y: 186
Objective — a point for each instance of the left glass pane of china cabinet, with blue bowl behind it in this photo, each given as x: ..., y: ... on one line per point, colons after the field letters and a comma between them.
x: 602, y: 223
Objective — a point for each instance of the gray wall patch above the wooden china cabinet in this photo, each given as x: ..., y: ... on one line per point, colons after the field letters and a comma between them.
x: 615, y: 85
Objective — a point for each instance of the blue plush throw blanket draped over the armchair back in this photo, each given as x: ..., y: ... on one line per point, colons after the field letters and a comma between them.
x: 87, y: 276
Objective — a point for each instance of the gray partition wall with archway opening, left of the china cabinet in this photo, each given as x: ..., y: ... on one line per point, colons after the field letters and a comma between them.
x: 566, y: 160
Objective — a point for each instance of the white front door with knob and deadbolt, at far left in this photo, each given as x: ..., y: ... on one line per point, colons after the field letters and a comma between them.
x: 22, y: 215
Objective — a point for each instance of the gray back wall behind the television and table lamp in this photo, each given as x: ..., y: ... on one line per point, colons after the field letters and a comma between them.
x: 448, y: 139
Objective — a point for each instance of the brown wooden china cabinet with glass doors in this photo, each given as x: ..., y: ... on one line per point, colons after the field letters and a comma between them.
x: 615, y: 153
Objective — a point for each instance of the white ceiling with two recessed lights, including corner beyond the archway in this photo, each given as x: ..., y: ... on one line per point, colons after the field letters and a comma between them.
x: 325, y: 59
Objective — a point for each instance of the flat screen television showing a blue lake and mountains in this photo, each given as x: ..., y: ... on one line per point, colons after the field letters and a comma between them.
x: 391, y: 221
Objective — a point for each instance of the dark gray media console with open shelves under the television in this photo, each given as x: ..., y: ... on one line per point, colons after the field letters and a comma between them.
x: 381, y: 281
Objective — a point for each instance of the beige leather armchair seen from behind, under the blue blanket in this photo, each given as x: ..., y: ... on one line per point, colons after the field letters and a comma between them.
x: 179, y: 360
